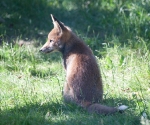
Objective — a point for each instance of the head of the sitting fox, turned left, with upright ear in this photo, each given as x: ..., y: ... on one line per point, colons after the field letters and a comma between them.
x: 57, y: 37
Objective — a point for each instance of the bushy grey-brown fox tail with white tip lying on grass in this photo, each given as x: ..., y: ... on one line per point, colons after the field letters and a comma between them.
x: 101, y: 109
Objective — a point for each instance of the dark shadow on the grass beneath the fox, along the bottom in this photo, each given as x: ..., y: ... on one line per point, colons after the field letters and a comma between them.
x: 59, y: 113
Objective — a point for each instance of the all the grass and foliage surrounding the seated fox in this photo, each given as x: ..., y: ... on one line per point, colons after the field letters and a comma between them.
x: 118, y: 31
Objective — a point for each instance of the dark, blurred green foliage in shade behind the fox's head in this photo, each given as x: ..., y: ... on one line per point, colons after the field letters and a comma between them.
x: 100, y: 19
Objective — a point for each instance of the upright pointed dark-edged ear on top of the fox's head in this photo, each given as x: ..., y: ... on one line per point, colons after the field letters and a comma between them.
x: 57, y: 24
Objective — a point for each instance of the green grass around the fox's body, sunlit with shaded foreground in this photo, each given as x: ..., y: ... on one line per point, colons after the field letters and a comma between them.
x: 31, y: 87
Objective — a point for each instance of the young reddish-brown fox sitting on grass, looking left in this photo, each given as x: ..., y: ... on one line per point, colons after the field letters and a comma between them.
x: 83, y: 79
